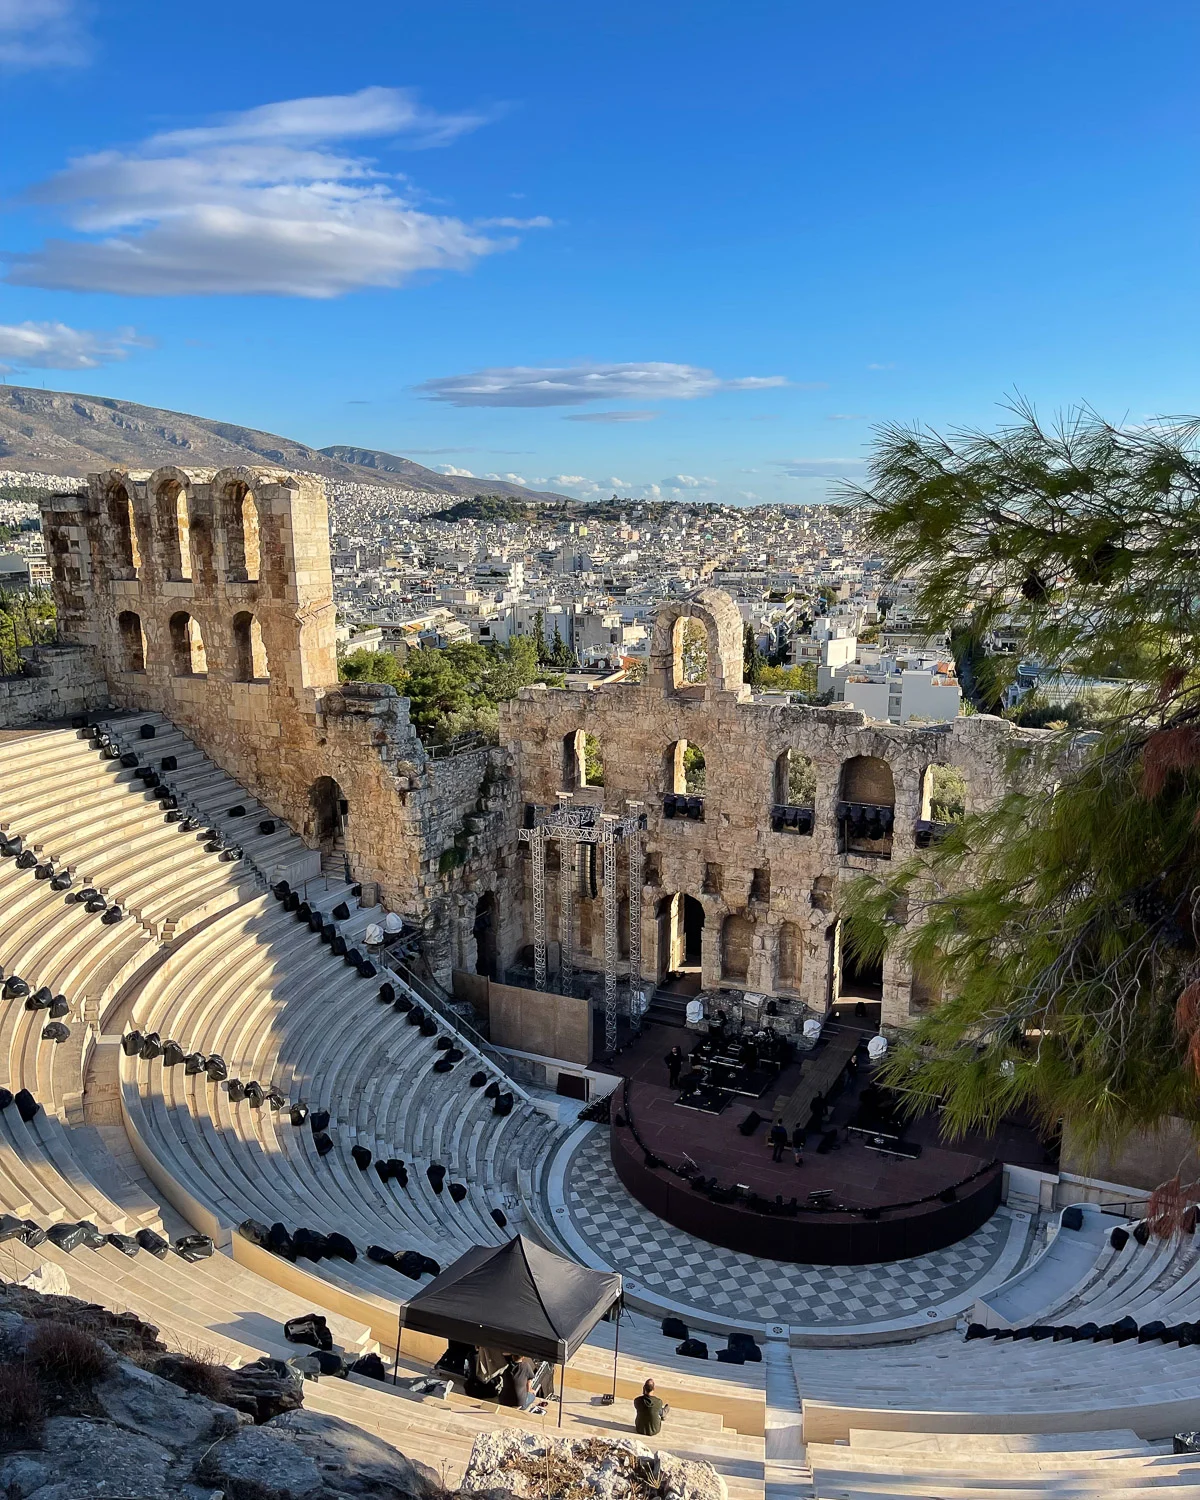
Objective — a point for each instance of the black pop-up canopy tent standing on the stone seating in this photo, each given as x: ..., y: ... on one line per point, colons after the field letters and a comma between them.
x: 518, y: 1298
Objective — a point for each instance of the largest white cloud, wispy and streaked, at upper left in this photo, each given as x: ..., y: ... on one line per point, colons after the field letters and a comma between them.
x: 257, y: 203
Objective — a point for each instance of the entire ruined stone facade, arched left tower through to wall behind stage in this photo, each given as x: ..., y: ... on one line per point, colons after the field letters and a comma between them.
x: 209, y: 598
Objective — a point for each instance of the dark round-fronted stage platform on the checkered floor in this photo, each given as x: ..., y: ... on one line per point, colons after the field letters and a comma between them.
x: 862, y: 1196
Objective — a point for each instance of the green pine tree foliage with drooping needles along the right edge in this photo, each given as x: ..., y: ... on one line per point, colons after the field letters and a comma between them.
x: 1063, y: 922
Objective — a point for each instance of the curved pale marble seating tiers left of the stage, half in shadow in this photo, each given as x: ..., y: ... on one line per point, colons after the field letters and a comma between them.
x: 208, y: 959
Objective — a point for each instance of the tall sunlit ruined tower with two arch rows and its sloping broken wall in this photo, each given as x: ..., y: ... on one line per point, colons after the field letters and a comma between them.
x: 209, y: 598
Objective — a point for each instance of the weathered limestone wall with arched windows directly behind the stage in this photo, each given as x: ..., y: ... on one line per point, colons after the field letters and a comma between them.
x: 767, y: 898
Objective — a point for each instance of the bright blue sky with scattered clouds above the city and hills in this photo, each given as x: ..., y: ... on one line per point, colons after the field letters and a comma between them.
x: 692, y: 250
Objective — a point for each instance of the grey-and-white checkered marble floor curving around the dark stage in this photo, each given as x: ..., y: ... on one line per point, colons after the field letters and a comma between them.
x: 727, y: 1283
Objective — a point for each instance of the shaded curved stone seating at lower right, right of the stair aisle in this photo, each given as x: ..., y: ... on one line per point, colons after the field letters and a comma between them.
x: 1046, y: 1385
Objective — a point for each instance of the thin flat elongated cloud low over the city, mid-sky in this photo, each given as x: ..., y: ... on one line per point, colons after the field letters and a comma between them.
x: 575, y: 385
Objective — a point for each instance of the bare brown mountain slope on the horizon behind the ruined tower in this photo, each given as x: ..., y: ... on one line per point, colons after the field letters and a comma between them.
x: 59, y: 433
